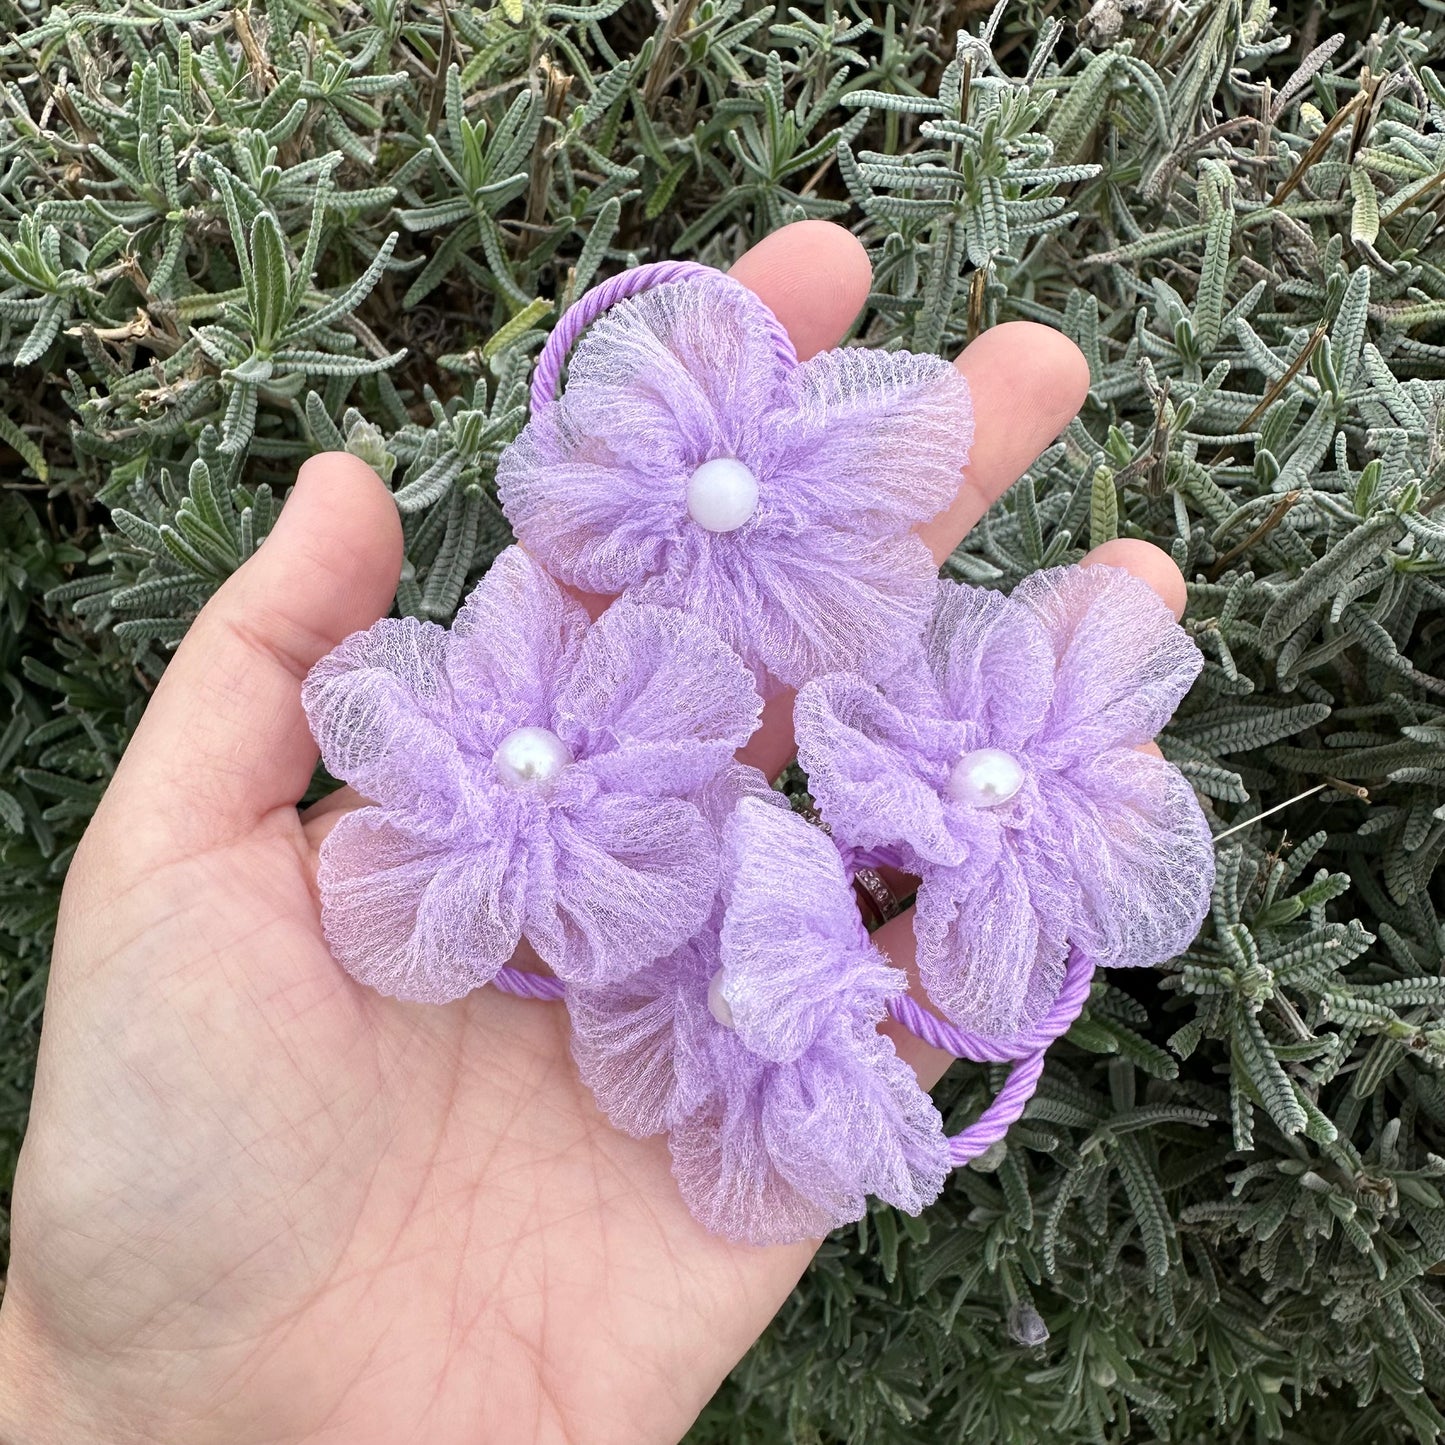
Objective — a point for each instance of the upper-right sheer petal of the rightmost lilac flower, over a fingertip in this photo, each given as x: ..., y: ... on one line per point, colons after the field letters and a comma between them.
x: 1123, y: 663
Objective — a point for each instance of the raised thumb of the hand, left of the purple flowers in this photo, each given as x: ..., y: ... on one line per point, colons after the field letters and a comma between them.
x: 225, y: 741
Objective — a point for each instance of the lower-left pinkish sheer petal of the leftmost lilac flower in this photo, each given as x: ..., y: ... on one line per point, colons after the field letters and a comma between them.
x: 415, y: 918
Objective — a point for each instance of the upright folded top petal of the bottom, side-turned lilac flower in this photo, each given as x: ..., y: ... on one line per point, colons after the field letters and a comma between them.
x: 794, y: 952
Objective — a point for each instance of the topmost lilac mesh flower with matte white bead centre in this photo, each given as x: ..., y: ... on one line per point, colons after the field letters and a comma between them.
x: 691, y: 463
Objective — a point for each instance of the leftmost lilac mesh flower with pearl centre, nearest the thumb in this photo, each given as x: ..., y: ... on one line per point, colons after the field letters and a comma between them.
x: 531, y: 778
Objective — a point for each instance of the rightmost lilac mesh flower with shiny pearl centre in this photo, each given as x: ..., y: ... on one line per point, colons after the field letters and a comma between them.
x: 1002, y: 767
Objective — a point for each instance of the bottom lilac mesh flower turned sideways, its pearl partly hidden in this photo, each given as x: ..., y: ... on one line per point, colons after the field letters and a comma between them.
x: 756, y: 1048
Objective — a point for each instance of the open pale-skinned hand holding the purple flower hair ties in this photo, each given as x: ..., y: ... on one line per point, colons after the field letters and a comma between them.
x: 262, y: 1204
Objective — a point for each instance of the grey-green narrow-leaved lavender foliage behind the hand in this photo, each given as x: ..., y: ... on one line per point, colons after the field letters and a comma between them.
x: 232, y: 238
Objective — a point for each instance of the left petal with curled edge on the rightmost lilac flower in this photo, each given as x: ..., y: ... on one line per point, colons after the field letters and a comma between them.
x: 876, y: 774
